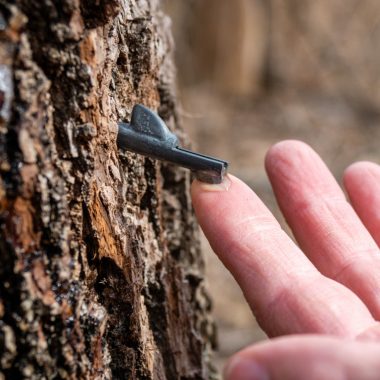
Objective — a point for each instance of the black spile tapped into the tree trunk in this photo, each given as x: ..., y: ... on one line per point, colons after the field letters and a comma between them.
x: 147, y: 134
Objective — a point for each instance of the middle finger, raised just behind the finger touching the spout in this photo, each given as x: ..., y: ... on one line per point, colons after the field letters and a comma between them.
x: 323, y: 222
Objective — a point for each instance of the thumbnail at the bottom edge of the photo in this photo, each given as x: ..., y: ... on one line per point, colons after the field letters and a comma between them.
x: 239, y: 368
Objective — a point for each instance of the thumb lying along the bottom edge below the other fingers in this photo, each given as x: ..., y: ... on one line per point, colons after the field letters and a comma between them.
x: 306, y: 357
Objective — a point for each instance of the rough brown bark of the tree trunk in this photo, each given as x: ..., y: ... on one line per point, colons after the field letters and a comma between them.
x: 101, y: 273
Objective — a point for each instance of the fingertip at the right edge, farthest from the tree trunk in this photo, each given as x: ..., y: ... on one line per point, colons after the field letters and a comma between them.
x: 362, y: 182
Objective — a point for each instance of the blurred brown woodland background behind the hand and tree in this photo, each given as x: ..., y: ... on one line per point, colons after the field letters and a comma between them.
x: 253, y: 72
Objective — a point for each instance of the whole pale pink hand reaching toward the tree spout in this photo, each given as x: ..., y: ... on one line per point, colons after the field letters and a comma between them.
x: 318, y: 301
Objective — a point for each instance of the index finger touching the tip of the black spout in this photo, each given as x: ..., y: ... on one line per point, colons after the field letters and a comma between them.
x: 284, y: 289
